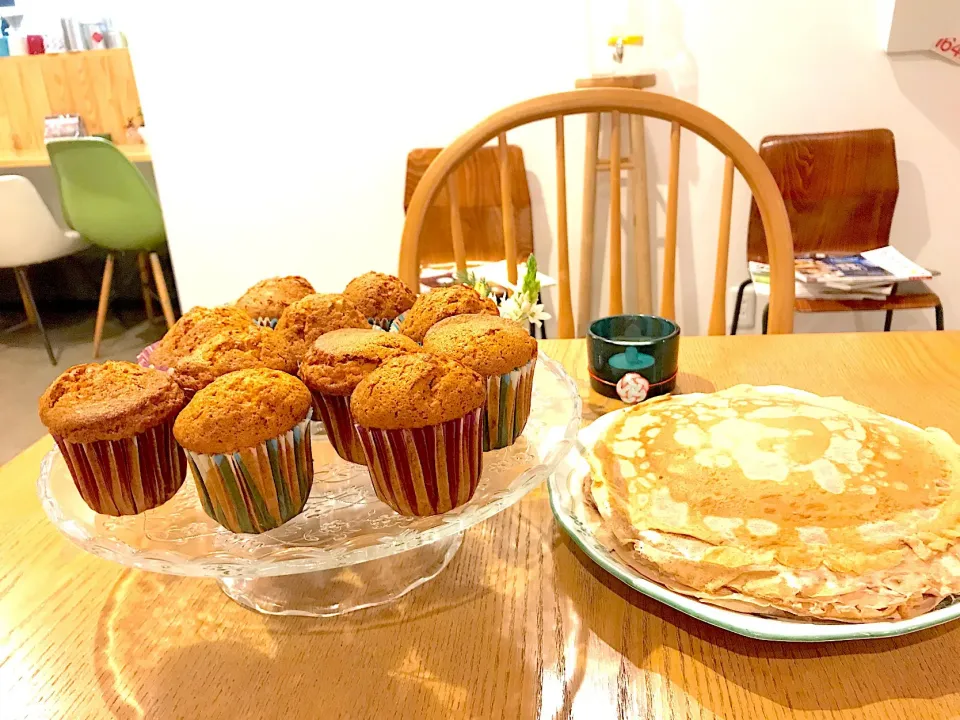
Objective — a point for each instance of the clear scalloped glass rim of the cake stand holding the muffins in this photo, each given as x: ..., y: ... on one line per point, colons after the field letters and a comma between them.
x: 215, y: 566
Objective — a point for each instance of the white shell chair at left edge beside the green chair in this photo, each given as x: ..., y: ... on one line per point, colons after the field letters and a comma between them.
x: 29, y: 235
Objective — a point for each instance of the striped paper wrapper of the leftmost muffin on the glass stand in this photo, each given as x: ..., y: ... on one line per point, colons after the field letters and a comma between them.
x: 127, y: 477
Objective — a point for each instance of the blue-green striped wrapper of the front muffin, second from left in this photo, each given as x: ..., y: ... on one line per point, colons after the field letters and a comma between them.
x: 259, y: 488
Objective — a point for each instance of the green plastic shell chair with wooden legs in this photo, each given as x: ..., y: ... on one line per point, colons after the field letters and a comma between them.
x: 106, y: 199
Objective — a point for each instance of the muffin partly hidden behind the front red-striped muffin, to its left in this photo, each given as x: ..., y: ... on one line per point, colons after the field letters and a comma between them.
x: 331, y: 370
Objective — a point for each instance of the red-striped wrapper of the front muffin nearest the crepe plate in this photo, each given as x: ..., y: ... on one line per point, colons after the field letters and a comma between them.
x: 425, y: 471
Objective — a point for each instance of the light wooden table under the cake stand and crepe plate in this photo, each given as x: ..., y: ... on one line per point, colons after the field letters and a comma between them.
x: 520, y: 625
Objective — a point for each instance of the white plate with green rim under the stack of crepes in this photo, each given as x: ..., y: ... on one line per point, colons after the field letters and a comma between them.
x: 567, y: 503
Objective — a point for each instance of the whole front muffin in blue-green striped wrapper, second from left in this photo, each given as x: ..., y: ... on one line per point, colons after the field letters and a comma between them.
x: 248, y: 444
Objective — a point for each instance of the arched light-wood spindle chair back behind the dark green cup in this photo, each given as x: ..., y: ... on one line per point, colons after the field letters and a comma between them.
x: 680, y: 114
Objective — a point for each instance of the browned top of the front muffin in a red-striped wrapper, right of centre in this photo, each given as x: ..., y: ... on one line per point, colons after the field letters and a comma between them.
x: 416, y: 390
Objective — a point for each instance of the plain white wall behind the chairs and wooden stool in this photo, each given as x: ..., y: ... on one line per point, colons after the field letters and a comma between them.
x: 292, y: 160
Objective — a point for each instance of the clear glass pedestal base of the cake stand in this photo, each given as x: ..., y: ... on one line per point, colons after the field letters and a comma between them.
x: 345, y: 589
